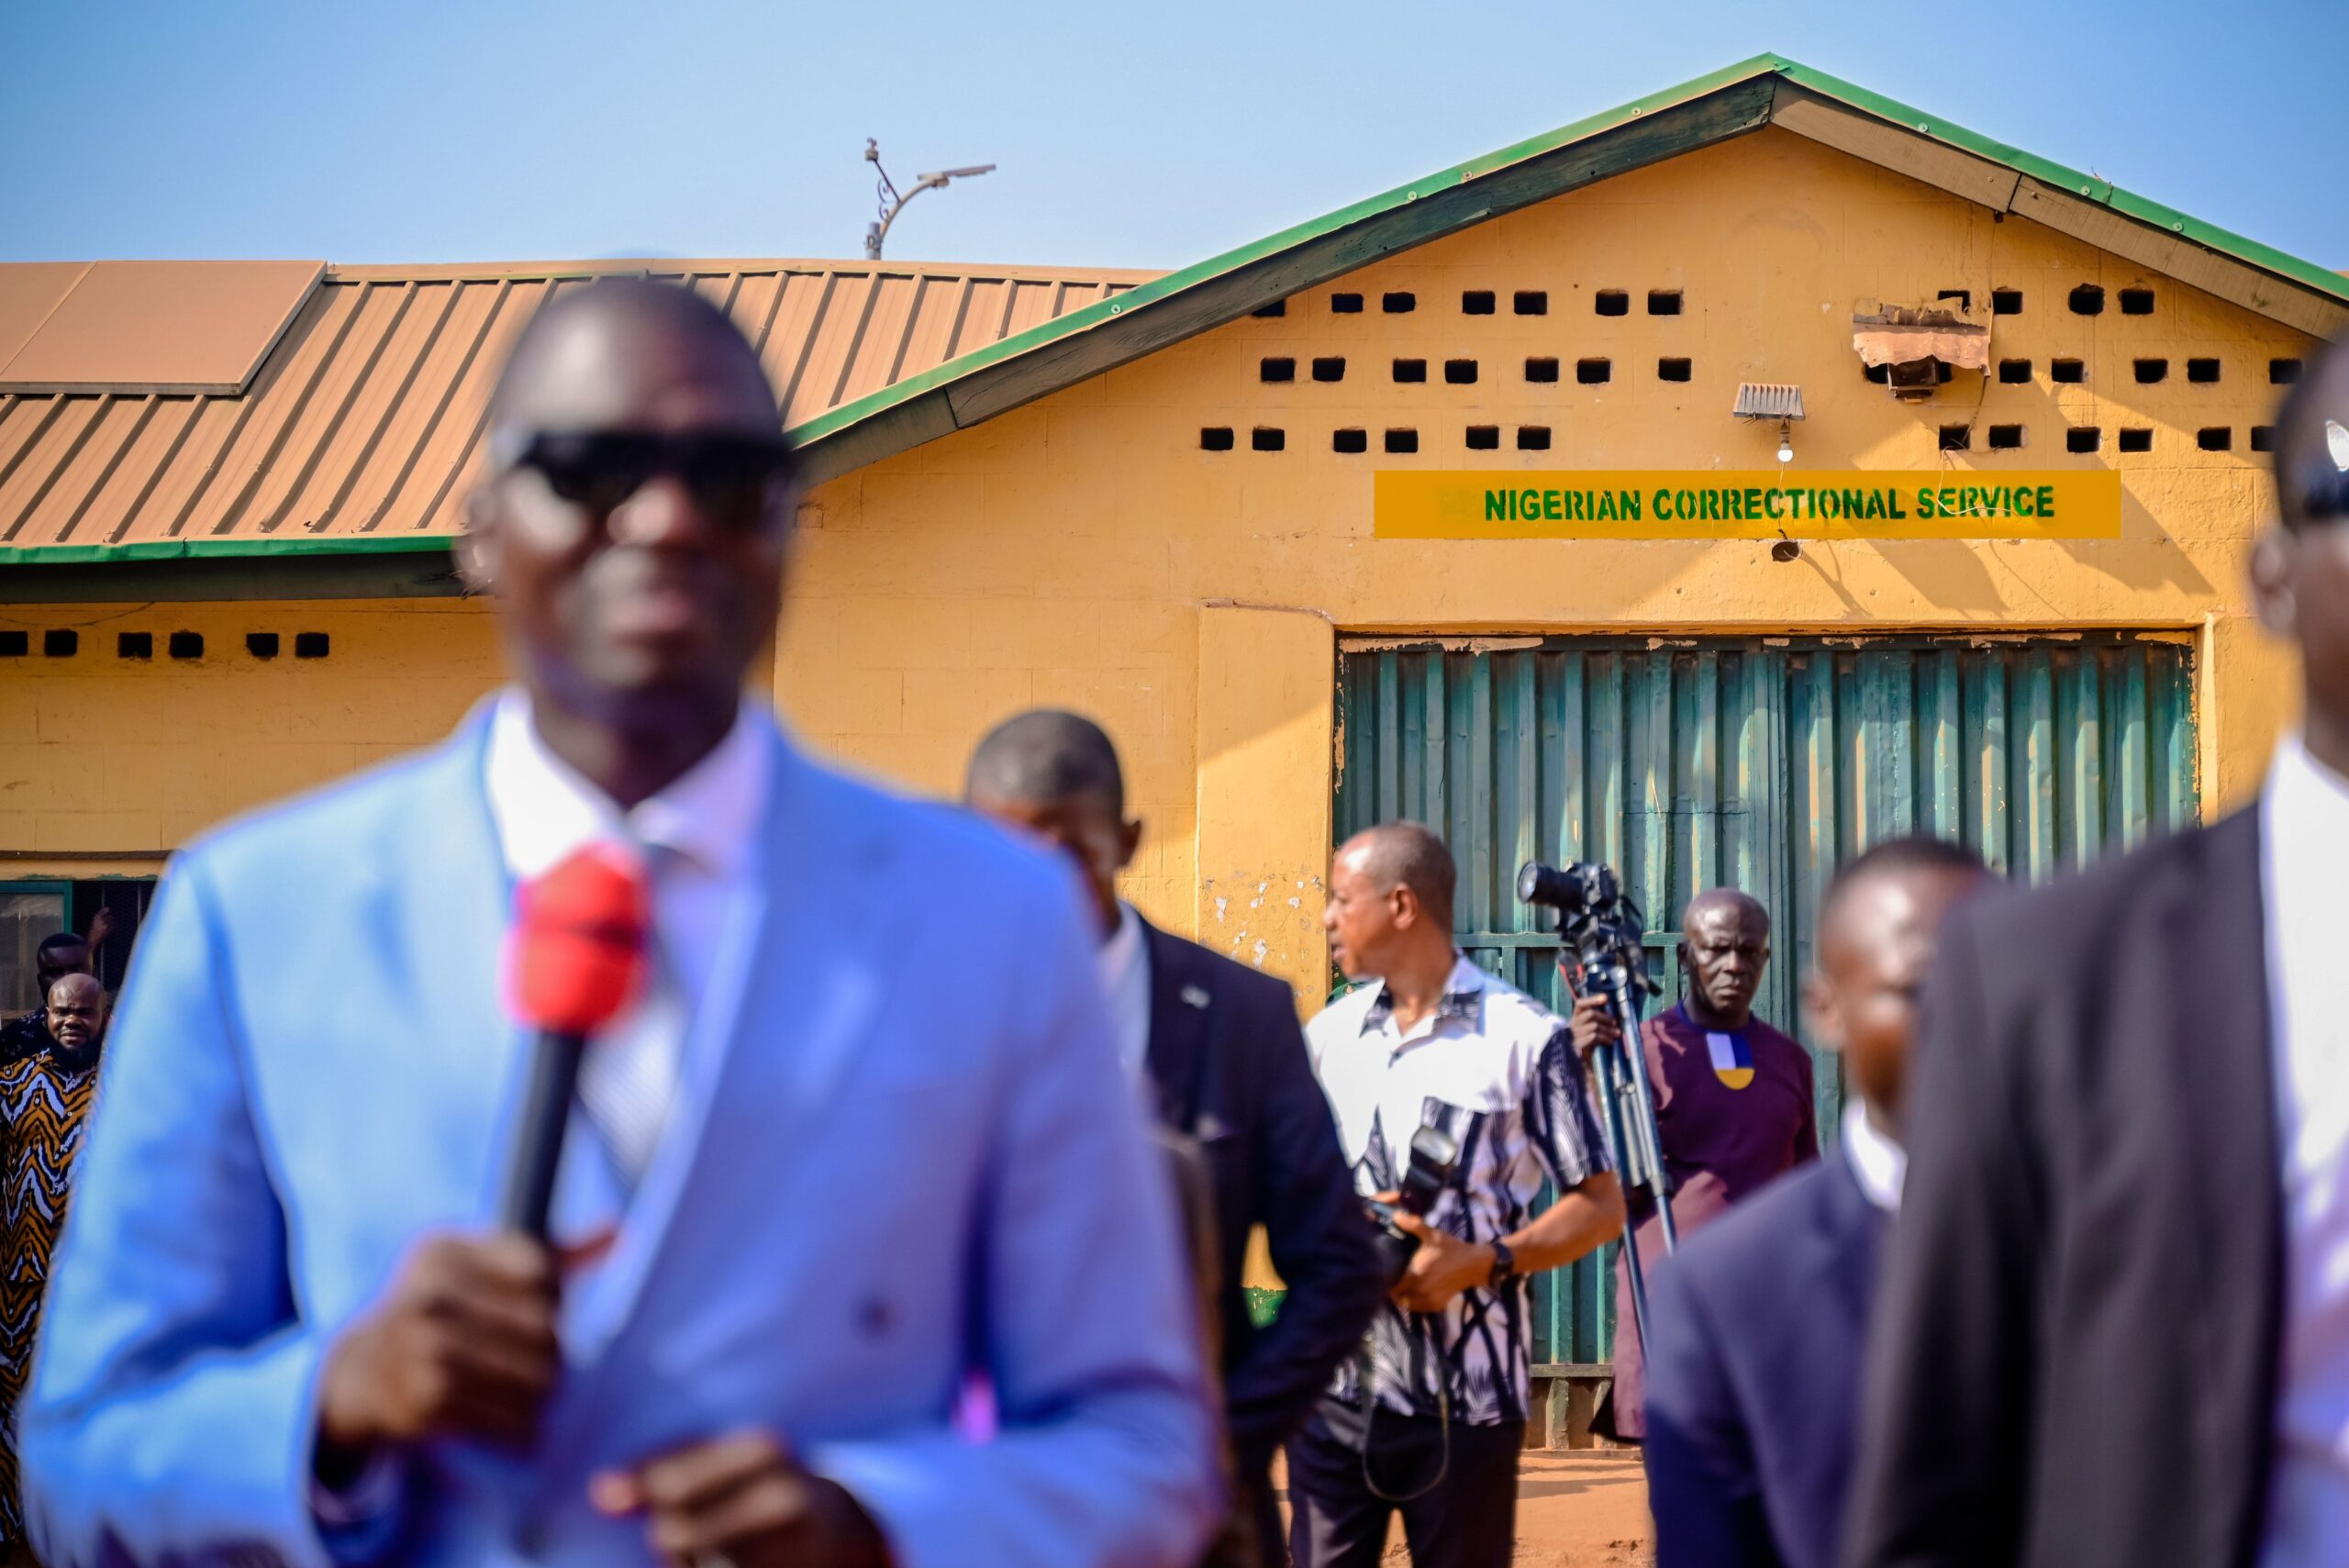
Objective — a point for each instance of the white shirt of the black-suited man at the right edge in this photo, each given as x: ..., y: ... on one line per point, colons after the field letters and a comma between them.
x: 2306, y: 849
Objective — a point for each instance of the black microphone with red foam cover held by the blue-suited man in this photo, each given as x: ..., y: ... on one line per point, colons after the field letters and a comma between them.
x: 574, y: 964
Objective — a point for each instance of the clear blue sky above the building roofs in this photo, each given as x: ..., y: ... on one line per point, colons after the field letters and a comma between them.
x: 506, y: 130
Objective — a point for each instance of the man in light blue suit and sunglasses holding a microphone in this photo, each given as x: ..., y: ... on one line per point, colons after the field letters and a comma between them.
x: 863, y: 1135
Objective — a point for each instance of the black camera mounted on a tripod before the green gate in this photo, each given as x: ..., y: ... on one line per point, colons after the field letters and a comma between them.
x: 1606, y: 935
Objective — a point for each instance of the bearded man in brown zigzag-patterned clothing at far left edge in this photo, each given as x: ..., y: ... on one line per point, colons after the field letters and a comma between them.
x: 43, y: 1104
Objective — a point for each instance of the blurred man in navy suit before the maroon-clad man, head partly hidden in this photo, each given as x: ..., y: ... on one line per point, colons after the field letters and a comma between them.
x: 1756, y: 1330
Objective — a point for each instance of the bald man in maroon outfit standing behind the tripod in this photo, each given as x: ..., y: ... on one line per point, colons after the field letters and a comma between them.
x: 1732, y: 1102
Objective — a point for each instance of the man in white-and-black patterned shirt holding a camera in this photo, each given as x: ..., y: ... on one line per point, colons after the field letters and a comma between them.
x: 1432, y: 1417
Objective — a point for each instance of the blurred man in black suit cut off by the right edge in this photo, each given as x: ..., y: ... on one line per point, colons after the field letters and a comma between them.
x: 2113, y: 1320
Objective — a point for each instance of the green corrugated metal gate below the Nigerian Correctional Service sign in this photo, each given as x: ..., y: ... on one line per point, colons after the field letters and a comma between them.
x: 1761, y: 764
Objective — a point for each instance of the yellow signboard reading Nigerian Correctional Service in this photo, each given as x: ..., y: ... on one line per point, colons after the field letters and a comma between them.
x: 1758, y: 506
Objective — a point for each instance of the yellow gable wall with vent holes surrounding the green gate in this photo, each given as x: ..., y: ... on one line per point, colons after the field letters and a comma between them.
x: 1082, y: 550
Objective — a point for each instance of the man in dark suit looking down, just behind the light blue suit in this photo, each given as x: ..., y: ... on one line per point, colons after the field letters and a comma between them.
x: 1225, y: 1065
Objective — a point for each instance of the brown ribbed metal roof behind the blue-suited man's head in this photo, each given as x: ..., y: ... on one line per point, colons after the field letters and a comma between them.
x: 365, y: 419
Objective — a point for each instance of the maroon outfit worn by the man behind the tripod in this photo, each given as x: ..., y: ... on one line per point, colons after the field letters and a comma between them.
x: 1721, y: 1144
